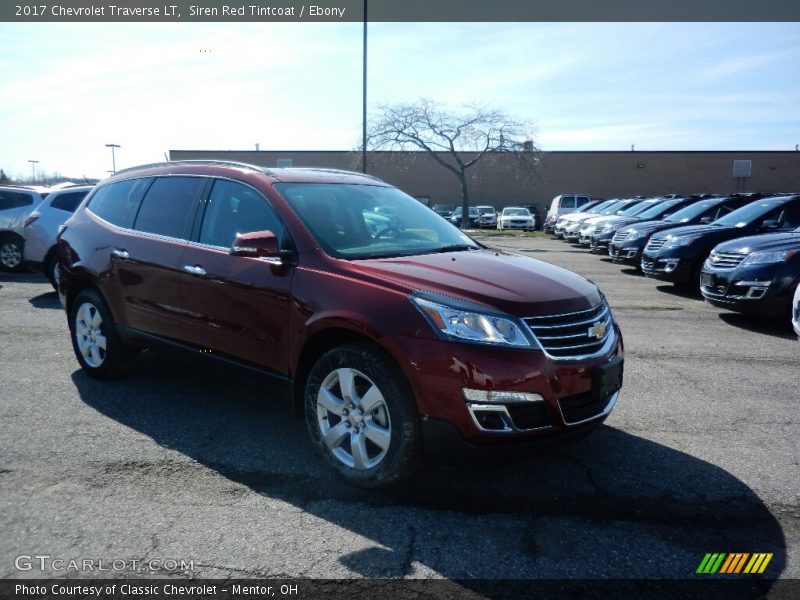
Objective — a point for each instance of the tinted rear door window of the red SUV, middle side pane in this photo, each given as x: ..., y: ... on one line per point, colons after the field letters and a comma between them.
x: 169, y: 206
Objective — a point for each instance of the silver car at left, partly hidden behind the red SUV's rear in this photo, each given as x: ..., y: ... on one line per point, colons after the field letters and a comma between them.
x: 41, y: 228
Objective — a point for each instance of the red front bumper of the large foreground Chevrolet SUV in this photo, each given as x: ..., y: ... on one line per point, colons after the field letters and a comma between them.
x: 569, y: 395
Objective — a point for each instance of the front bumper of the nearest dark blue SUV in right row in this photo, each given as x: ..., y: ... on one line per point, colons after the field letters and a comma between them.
x: 753, y: 290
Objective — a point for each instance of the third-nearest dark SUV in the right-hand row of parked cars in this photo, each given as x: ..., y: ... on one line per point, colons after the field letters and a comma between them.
x: 629, y: 242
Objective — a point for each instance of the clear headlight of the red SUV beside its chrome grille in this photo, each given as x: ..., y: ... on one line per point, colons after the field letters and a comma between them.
x: 472, y: 326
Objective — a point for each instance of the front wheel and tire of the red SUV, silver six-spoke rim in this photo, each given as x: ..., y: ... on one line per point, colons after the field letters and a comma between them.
x: 368, y: 430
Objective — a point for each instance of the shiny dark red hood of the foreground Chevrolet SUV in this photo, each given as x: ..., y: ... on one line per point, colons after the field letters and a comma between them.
x: 514, y: 284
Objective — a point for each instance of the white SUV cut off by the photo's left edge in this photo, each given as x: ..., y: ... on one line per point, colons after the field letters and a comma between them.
x: 16, y: 203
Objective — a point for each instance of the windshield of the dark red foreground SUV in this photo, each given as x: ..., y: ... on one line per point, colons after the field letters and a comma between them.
x: 366, y: 221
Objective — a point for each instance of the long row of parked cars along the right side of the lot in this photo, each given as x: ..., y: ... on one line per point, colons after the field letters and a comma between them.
x: 740, y: 251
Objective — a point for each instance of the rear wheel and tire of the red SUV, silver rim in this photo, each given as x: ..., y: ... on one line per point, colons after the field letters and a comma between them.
x: 97, y: 345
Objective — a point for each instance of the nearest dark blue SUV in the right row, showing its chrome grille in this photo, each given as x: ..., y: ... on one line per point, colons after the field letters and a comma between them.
x: 754, y: 275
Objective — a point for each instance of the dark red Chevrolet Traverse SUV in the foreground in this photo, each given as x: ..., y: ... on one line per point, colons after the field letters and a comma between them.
x: 397, y: 331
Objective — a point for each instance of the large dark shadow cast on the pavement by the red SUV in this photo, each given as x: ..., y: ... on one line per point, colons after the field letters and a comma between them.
x: 614, y: 505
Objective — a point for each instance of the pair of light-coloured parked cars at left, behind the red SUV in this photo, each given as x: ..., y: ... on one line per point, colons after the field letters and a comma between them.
x: 30, y: 217
